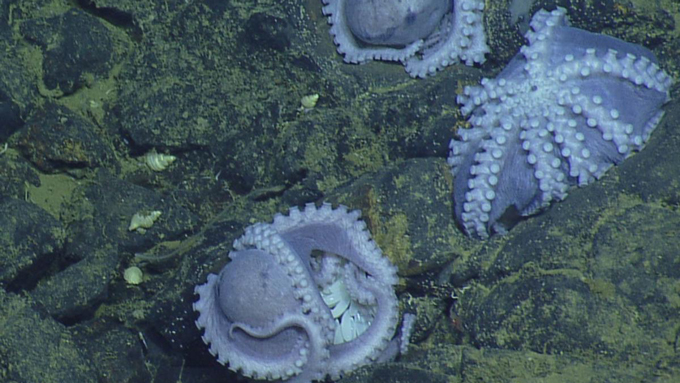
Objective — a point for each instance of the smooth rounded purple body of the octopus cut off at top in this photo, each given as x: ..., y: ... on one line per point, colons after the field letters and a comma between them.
x: 394, y: 23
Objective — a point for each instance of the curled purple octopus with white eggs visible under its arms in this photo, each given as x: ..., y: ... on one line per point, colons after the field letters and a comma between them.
x: 307, y: 296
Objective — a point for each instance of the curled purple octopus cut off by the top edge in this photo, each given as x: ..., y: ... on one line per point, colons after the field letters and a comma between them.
x: 425, y: 35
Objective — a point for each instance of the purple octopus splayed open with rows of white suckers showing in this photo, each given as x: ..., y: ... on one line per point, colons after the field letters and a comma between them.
x: 566, y: 108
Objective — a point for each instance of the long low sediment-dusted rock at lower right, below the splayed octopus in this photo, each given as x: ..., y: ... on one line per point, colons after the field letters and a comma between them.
x: 556, y: 313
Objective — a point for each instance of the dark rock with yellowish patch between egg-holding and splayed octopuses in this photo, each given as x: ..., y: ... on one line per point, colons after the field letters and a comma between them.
x: 407, y: 208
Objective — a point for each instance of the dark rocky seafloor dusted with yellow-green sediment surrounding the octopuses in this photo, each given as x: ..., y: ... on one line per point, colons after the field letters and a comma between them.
x: 587, y: 291
